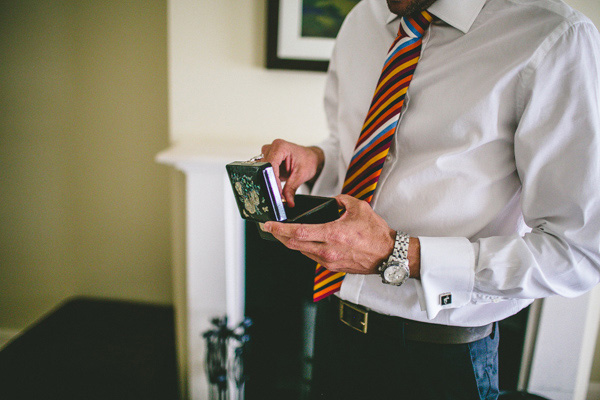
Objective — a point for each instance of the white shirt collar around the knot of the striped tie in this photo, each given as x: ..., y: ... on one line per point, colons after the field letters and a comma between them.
x: 459, y: 14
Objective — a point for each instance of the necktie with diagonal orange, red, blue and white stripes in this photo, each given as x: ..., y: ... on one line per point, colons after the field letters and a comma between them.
x: 378, y: 130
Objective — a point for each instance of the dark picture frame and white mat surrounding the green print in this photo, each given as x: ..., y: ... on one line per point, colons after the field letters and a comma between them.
x: 286, y: 47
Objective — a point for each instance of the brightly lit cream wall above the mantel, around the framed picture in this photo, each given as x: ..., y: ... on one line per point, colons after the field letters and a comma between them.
x: 221, y: 93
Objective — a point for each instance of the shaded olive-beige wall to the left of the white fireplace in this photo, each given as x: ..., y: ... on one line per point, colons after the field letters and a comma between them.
x: 84, y: 210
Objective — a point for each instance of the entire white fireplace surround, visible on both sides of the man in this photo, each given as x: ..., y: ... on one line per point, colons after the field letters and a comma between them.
x: 561, y: 333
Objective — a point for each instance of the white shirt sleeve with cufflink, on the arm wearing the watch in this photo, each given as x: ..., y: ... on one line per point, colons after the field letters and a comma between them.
x: 557, y: 155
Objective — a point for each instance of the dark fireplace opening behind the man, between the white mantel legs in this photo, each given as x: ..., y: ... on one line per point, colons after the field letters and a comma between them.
x: 278, y: 299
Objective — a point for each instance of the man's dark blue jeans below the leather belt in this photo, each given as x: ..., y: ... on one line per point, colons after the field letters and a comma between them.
x: 350, y: 365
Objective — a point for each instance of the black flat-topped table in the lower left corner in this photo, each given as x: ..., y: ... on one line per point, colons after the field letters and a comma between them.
x: 94, y: 349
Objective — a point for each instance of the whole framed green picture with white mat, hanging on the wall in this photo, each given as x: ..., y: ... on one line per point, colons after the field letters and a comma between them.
x: 301, y: 33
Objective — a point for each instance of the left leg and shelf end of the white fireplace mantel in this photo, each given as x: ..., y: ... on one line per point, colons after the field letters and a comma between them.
x: 213, y: 269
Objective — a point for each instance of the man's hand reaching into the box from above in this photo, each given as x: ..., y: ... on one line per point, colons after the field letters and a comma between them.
x: 293, y: 164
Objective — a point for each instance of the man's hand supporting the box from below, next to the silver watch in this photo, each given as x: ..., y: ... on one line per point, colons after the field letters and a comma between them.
x: 358, y: 242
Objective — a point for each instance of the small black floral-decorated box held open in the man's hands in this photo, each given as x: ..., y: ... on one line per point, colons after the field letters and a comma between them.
x: 258, y: 198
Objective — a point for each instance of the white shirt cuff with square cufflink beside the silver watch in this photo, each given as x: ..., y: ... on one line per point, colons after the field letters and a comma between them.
x: 447, y: 273
